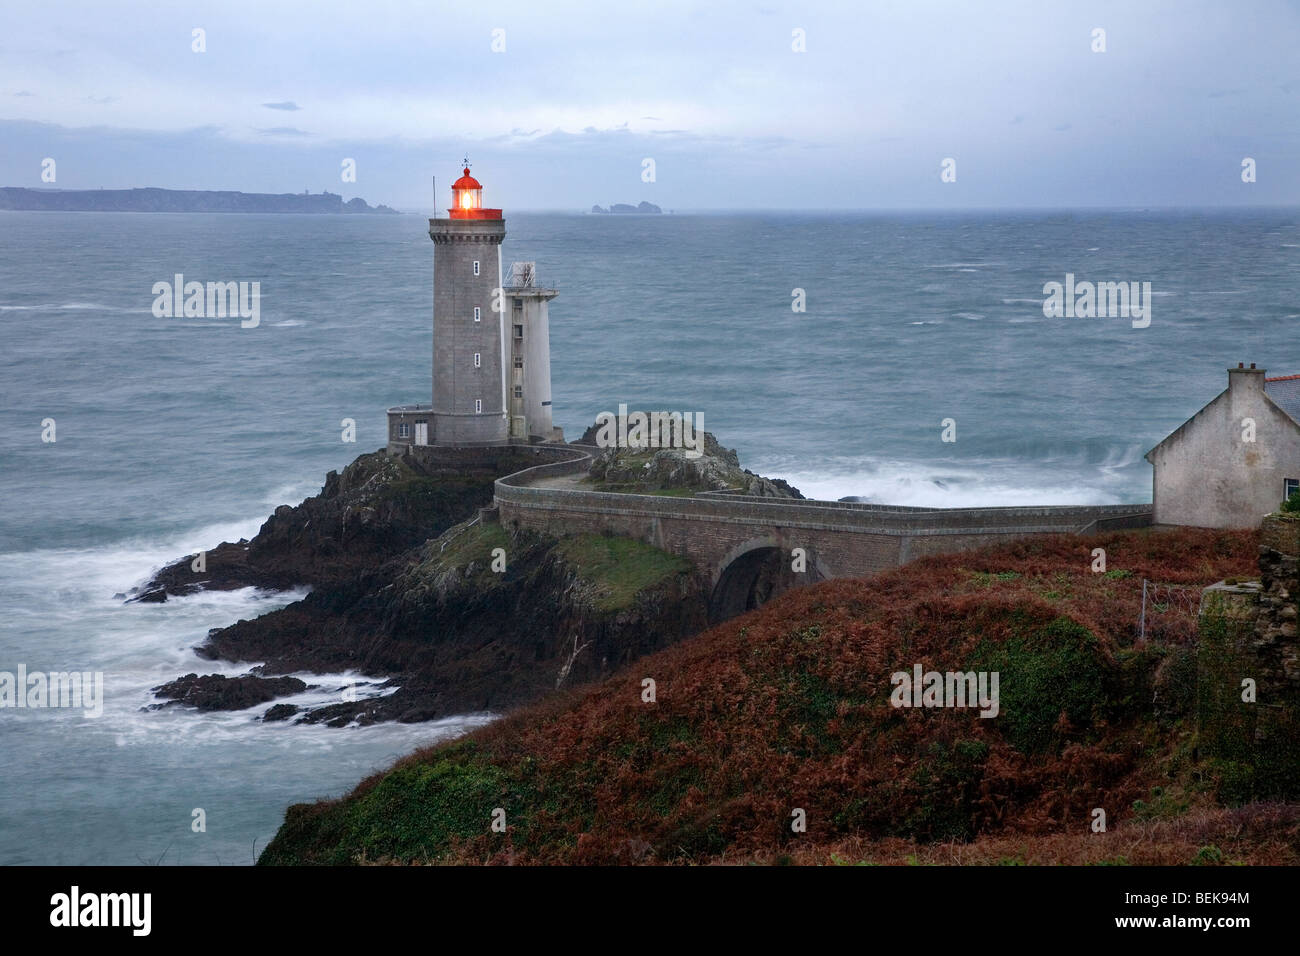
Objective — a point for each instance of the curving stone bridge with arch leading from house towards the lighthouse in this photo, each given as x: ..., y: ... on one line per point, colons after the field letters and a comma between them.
x: 746, y: 546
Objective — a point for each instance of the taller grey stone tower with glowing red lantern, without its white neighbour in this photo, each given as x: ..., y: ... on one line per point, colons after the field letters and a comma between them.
x: 470, y: 392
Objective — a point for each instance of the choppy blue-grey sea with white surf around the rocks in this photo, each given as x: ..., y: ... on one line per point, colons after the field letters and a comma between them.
x: 835, y: 351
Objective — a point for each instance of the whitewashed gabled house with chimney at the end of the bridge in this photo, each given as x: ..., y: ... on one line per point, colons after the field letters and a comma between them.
x: 1236, y: 460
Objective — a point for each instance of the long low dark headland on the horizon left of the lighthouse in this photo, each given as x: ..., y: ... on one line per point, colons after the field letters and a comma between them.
x: 179, y: 201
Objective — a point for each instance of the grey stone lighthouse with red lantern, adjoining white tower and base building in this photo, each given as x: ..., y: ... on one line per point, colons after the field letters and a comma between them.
x: 492, y: 380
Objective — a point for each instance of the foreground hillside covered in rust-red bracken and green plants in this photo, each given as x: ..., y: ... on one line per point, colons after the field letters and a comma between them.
x: 788, y: 708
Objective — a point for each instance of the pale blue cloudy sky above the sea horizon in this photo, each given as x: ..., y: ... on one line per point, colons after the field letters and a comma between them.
x: 561, y: 105
